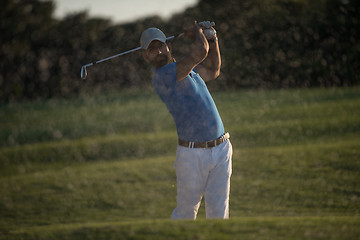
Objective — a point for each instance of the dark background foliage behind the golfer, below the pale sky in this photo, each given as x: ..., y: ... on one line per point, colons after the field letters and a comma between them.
x: 264, y: 44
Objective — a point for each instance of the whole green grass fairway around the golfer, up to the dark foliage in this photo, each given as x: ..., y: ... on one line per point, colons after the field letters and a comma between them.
x: 102, y: 167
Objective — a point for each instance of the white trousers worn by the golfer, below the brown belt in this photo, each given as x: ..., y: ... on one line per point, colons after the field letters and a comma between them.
x: 203, y: 172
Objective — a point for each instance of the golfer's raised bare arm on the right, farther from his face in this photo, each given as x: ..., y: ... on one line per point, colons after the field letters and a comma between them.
x: 209, y: 69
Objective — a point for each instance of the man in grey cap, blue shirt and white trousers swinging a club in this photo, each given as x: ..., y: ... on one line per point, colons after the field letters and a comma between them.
x: 204, y: 152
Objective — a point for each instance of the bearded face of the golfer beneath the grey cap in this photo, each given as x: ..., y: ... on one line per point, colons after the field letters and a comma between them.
x: 158, y: 54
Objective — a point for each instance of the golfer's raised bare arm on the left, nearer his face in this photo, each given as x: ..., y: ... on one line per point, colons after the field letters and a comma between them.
x: 199, y: 51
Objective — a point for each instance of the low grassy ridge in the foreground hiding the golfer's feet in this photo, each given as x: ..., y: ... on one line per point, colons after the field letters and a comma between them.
x: 256, y: 228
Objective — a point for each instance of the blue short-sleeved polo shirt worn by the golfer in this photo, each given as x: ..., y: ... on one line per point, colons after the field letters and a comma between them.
x: 190, y: 104
